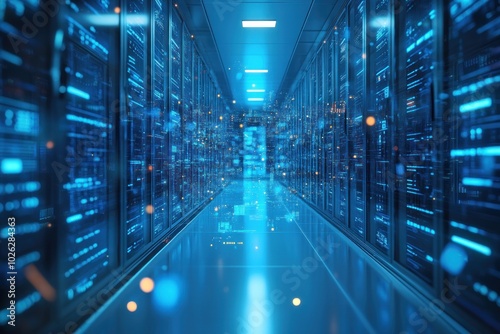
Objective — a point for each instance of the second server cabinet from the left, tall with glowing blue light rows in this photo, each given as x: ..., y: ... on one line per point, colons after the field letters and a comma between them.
x: 86, y: 194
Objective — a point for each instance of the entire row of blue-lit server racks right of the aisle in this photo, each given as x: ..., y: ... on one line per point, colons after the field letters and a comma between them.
x: 392, y: 133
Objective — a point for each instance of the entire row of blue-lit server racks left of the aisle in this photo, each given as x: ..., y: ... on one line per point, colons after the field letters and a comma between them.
x: 112, y: 136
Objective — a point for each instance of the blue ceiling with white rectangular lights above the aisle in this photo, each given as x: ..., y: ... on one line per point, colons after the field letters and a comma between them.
x: 229, y: 49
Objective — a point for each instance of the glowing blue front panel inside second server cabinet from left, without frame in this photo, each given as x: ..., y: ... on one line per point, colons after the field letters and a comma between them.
x: 88, y: 132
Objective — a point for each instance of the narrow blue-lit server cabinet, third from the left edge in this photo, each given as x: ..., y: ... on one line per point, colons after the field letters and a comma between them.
x: 134, y: 122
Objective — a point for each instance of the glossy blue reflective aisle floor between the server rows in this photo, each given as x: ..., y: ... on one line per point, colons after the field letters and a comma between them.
x: 258, y: 260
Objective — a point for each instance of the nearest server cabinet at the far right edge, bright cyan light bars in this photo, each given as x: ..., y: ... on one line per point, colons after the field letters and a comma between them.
x: 471, y: 257
